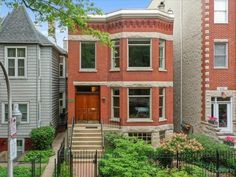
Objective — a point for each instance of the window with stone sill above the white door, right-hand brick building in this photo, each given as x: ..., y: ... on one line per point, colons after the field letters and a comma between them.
x: 220, y: 55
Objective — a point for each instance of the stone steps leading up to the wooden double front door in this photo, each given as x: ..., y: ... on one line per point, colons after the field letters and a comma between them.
x: 86, y: 140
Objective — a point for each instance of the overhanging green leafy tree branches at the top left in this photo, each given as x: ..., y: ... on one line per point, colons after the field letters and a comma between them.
x: 70, y: 13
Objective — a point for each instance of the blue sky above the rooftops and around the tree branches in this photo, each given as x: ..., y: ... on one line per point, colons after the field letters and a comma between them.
x: 106, y: 5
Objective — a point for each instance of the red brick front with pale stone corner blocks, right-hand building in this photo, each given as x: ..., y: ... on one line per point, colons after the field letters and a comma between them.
x: 218, y: 82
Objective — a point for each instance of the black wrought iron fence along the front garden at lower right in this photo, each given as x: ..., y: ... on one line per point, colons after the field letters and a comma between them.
x: 206, y: 164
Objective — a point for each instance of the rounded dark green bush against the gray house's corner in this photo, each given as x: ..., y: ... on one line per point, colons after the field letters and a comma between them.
x: 42, y: 137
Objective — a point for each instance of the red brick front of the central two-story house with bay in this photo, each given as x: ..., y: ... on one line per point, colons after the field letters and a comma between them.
x: 154, y: 28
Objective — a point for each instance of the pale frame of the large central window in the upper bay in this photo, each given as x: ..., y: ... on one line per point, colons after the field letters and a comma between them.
x: 139, y: 68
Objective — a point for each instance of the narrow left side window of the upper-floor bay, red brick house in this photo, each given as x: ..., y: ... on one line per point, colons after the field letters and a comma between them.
x: 115, y: 56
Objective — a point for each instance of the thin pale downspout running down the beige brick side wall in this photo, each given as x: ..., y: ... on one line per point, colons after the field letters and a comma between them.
x: 181, y: 64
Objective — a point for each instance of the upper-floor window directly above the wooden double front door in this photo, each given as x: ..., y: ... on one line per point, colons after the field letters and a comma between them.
x: 88, y: 56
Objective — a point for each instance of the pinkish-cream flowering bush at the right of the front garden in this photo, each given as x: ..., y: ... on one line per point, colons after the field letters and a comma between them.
x: 181, y: 143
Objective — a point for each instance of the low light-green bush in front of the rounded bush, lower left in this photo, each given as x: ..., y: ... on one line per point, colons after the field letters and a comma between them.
x: 36, y: 154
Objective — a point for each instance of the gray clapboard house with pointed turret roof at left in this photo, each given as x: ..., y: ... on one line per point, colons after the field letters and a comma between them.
x: 36, y: 68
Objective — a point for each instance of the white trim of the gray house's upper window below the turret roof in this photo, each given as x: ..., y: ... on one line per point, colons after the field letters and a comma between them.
x: 16, y: 63
